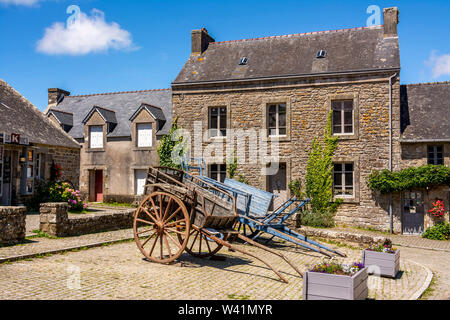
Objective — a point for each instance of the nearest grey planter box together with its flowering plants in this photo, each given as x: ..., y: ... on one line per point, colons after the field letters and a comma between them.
x: 333, y: 281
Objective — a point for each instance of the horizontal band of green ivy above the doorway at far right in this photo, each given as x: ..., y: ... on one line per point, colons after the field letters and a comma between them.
x: 415, y: 177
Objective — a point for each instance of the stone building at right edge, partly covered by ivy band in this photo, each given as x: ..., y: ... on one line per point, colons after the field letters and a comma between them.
x: 425, y: 139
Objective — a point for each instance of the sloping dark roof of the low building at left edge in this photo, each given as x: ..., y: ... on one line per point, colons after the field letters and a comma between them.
x: 18, y: 115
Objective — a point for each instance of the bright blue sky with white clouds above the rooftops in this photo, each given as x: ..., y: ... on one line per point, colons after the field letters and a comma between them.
x: 144, y: 44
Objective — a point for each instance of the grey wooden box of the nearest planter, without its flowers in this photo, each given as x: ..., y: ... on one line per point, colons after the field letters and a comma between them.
x: 323, y: 286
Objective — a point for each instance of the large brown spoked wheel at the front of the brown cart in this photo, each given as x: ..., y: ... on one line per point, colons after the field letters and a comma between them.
x: 159, y: 217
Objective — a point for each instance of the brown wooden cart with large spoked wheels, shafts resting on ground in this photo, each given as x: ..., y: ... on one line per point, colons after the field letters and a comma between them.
x: 183, y: 213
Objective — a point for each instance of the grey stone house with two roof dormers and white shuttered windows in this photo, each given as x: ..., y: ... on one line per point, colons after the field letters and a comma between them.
x: 118, y: 133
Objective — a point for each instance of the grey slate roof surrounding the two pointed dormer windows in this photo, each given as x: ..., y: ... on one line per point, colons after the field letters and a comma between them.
x: 122, y: 104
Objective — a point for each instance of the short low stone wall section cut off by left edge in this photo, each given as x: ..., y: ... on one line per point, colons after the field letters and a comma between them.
x: 12, y: 224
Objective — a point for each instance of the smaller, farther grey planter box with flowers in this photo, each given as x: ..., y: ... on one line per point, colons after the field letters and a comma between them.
x: 383, y: 260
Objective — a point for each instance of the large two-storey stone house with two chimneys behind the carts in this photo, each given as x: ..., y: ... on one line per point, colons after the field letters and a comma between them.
x: 288, y: 85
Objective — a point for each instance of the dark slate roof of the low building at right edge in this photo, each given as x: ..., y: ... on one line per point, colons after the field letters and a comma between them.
x: 425, y: 111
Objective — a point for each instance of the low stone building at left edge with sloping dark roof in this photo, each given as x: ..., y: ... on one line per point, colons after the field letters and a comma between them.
x: 29, y: 145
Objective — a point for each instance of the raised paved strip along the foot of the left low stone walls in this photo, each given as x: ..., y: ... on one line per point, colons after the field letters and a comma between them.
x: 41, y: 245
